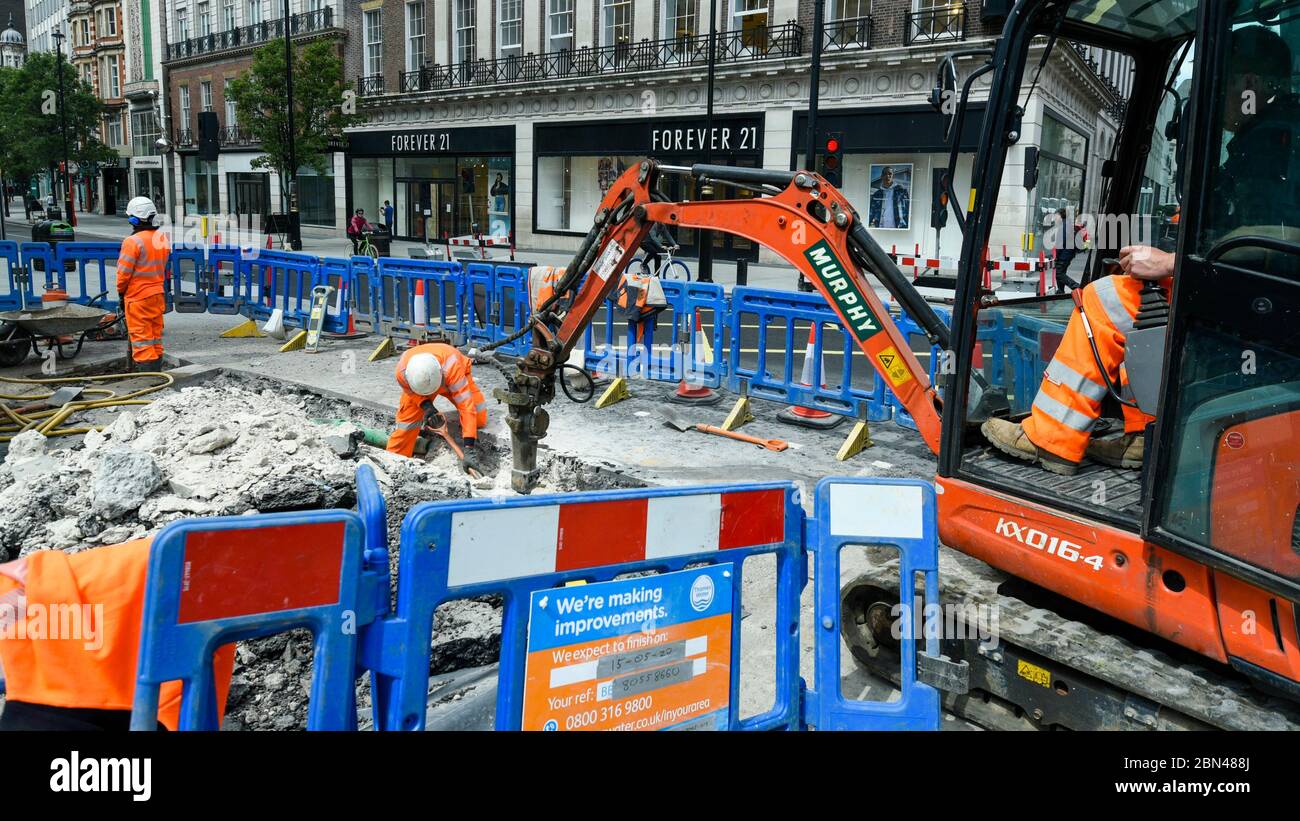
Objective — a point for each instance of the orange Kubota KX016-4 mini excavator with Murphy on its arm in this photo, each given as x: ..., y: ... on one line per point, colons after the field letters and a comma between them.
x: 1137, y: 600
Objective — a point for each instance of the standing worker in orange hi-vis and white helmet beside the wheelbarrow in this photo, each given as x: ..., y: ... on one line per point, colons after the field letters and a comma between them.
x: 142, y: 281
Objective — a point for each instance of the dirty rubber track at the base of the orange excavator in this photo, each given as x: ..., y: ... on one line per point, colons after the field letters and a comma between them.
x: 1045, y: 671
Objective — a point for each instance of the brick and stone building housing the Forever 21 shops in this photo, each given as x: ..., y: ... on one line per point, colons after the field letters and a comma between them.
x: 515, y: 116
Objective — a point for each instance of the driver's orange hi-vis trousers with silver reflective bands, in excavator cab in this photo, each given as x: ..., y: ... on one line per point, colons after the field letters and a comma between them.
x: 1069, y: 399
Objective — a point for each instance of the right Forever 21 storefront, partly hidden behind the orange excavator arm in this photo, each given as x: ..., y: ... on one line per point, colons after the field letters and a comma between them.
x: 577, y: 166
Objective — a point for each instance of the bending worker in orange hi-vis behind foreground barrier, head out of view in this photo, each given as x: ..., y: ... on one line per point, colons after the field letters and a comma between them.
x: 71, y: 636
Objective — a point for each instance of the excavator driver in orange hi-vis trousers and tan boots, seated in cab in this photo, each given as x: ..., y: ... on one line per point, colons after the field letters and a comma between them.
x: 1059, y: 432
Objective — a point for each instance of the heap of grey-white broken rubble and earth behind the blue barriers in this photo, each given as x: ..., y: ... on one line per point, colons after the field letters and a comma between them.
x: 228, y: 444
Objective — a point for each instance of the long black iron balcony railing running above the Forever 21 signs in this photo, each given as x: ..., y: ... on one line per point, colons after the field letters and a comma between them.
x: 759, y: 44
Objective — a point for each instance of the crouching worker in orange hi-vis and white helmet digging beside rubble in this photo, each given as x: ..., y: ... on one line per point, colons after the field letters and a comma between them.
x: 431, y: 371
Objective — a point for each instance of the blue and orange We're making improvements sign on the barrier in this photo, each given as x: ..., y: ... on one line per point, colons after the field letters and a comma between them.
x: 640, y: 654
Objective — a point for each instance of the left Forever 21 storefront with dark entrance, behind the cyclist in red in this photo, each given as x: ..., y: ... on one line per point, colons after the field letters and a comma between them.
x: 439, y: 183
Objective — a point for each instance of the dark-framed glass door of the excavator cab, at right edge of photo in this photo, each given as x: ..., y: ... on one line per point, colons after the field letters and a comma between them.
x: 1224, y: 477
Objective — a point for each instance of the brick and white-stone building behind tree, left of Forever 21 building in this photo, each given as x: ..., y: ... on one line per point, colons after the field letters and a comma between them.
x: 209, y: 45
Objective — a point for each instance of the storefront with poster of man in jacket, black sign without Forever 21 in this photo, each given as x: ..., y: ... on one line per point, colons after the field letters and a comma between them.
x: 894, y: 159
